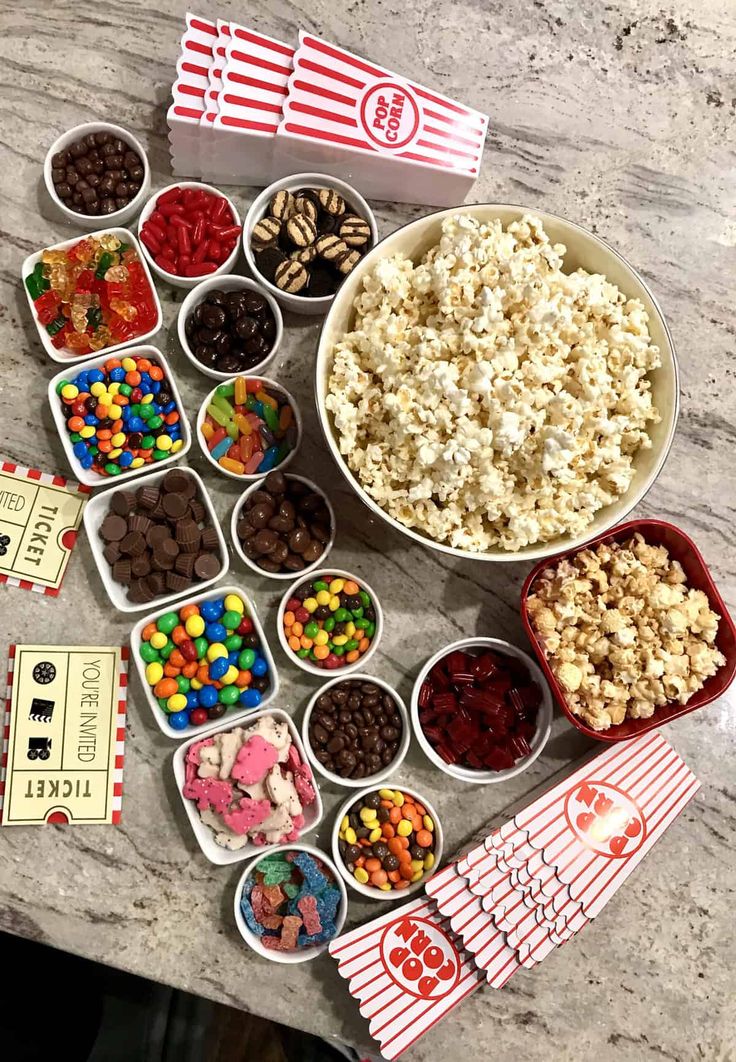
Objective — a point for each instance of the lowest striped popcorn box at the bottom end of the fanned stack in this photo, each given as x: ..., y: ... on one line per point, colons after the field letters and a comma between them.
x: 407, y: 971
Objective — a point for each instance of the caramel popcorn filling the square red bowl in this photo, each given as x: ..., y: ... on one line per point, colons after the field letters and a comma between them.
x: 623, y: 632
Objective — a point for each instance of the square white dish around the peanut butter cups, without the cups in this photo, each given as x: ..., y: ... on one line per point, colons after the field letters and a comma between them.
x: 95, y: 512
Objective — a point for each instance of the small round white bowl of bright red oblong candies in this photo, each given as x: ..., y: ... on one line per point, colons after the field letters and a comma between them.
x: 190, y: 231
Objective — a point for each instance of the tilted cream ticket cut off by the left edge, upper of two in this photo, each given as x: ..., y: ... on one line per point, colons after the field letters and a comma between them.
x: 40, y: 518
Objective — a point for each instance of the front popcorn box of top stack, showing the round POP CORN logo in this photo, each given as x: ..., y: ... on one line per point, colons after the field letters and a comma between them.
x: 393, y: 139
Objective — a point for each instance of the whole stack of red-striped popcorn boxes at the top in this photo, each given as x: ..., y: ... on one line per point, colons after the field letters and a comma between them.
x: 248, y: 108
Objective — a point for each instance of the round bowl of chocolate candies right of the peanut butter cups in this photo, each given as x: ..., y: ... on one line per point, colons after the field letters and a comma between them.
x: 283, y: 525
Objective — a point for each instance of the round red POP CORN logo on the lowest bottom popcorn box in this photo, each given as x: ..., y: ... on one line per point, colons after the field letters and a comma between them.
x: 420, y: 958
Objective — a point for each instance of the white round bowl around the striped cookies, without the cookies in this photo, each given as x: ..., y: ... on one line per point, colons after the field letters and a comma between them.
x: 260, y: 209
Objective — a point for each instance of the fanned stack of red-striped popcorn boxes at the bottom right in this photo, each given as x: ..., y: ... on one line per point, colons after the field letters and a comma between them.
x: 527, y: 888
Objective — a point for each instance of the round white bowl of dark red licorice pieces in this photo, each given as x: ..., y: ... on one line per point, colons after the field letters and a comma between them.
x: 482, y: 711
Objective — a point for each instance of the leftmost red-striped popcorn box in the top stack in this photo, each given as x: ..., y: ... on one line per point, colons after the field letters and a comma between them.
x: 189, y: 92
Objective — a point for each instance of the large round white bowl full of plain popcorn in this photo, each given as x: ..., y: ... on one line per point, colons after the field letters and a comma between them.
x: 494, y: 397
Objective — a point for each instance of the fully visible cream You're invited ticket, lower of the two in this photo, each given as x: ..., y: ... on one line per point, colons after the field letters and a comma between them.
x: 64, y: 735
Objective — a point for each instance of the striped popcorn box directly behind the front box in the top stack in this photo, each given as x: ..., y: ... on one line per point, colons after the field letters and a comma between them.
x: 255, y: 81
